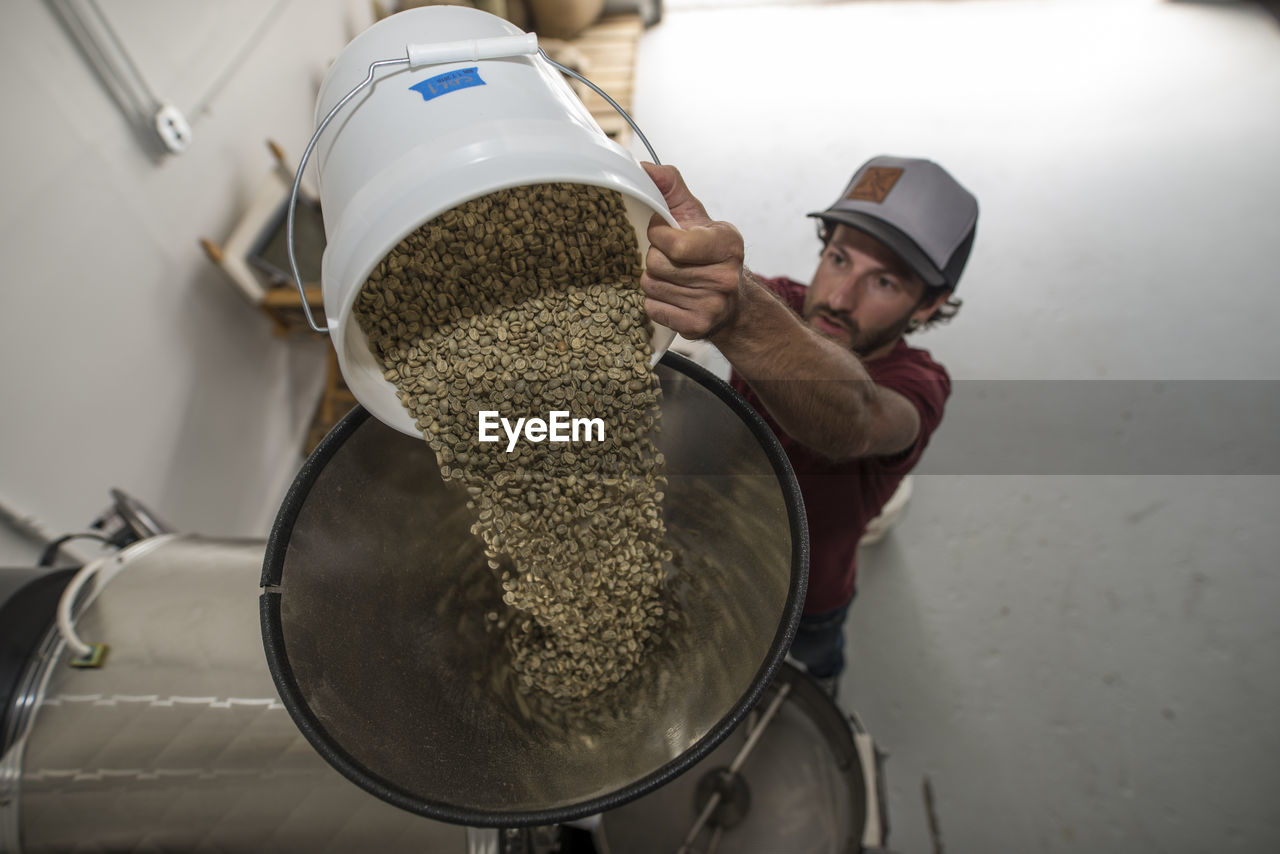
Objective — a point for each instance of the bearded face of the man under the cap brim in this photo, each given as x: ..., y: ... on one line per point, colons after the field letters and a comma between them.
x: 862, y: 295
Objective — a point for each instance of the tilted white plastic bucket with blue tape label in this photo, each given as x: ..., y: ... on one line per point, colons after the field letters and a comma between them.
x: 397, y: 157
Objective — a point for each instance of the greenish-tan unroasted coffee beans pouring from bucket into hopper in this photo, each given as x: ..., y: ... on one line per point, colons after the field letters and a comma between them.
x: 525, y: 303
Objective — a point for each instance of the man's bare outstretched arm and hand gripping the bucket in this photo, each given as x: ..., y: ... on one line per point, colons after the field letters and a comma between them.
x: 819, y: 392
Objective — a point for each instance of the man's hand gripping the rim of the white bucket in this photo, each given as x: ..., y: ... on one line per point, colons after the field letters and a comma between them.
x: 693, y: 276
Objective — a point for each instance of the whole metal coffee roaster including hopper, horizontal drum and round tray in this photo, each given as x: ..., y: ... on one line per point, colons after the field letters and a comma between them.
x: 324, y: 692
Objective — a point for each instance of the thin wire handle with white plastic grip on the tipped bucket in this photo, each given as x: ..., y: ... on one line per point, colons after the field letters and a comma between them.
x: 436, y: 54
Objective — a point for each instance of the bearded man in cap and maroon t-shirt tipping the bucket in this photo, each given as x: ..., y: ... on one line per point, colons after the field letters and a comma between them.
x: 828, y: 366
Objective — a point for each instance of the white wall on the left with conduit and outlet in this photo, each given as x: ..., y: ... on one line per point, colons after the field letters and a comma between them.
x: 129, y: 359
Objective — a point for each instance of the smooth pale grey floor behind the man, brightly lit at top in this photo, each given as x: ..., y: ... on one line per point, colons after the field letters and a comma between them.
x: 1078, y: 646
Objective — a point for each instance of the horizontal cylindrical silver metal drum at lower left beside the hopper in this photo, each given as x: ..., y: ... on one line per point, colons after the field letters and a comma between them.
x: 179, y: 742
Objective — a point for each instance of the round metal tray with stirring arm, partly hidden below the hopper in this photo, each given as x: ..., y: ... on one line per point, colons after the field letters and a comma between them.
x: 790, y: 779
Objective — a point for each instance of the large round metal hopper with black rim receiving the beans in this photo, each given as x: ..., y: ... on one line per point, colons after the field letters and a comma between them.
x: 373, y: 620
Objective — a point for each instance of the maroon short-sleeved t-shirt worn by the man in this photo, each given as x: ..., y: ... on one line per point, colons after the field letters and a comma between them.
x: 842, y: 497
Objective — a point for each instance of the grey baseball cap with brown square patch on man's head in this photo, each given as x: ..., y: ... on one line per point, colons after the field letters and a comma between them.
x: 917, y: 209
